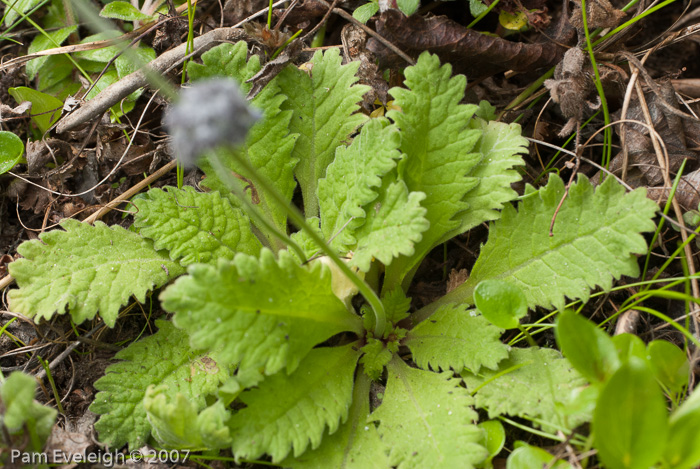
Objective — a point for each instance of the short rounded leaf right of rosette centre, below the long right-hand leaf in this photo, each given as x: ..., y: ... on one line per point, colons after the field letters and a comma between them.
x: 456, y: 338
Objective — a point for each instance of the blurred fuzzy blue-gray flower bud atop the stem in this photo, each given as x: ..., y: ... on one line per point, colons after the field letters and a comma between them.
x: 209, y: 114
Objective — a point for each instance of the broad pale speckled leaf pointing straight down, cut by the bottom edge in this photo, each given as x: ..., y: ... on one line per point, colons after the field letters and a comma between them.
x: 426, y: 419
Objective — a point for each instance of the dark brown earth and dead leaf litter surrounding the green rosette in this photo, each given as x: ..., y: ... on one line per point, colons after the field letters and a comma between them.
x: 496, y: 71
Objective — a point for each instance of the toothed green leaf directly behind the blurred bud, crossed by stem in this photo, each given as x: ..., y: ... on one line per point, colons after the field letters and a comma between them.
x: 269, y: 143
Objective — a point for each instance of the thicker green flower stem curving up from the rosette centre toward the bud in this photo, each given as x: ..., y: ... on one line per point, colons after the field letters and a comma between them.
x: 298, y: 219
